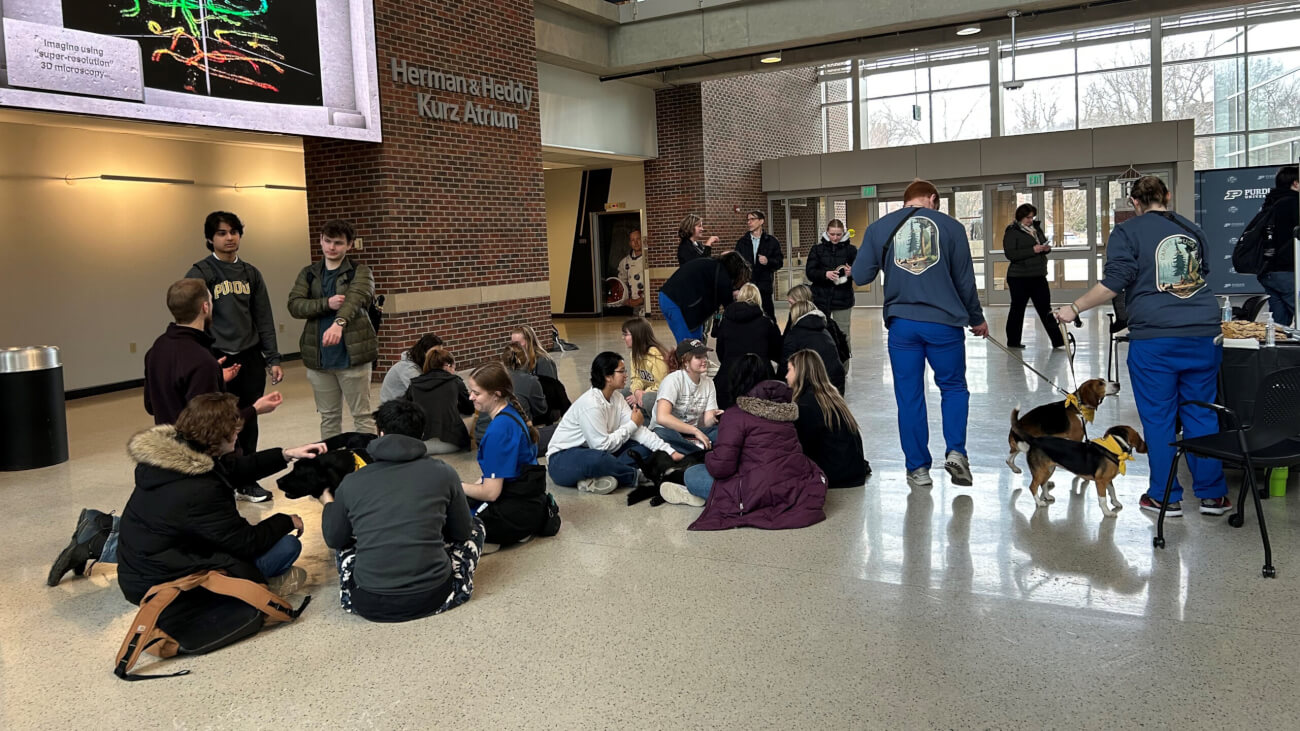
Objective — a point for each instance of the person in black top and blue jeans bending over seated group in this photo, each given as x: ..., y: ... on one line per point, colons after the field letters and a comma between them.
x: 697, y: 289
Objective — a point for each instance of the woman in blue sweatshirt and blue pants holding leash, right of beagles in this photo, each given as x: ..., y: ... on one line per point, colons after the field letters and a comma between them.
x: 1158, y: 259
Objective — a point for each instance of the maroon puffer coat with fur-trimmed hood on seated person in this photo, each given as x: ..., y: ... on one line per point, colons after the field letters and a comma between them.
x: 761, y: 477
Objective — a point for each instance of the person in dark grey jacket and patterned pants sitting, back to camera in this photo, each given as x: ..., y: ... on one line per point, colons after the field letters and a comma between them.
x: 408, y: 544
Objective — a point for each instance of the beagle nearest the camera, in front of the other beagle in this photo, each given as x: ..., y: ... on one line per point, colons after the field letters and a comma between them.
x: 1098, y: 461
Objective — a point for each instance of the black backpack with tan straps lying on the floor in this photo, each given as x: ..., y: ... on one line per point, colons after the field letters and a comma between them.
x: 203, y: 612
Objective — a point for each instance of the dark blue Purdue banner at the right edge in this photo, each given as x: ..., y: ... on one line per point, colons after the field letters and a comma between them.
x: 1227, y: 201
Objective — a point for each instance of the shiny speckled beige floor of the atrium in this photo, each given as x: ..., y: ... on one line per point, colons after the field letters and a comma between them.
x: 950, y: 608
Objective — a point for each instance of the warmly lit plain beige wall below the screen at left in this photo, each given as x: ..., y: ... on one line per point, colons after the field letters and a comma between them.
x: 86, y: 266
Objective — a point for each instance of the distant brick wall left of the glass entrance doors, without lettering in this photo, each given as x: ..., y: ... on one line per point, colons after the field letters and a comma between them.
x: 713, y: 140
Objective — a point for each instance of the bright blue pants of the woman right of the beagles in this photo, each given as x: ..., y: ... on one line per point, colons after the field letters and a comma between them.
x: 1164, y: 374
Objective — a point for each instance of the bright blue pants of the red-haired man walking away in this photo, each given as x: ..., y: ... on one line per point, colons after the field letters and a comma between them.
x: 912, y: 345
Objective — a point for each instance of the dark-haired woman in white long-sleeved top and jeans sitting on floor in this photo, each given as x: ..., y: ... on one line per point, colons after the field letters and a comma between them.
x: 593, y: 444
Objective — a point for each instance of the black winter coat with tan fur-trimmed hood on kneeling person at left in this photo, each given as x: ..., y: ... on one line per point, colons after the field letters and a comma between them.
x: 183, y: 516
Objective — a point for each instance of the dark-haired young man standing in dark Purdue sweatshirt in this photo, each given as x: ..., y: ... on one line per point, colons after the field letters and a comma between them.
x: 244, y: 330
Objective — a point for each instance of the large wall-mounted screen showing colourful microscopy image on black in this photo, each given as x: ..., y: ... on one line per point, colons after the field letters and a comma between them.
x: 244, y: 64
